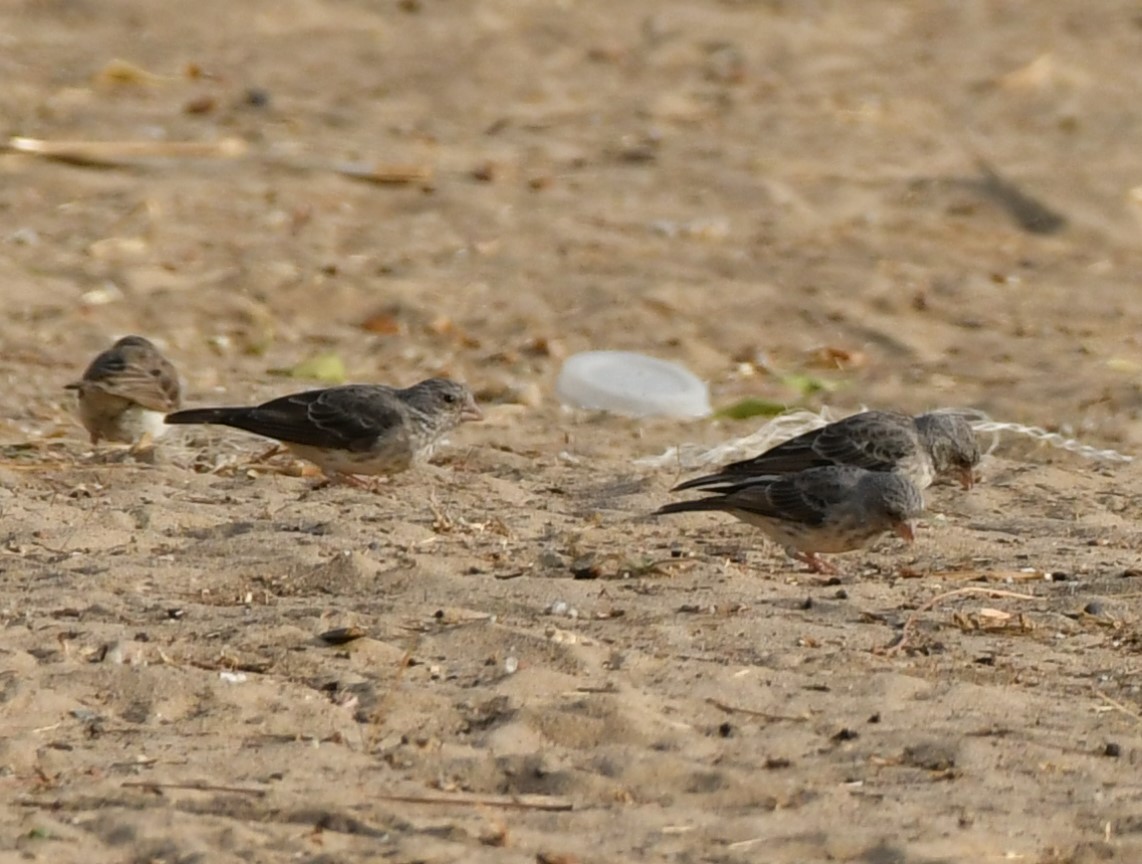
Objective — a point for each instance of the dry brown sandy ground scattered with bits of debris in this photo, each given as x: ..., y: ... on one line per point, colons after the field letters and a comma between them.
x: 758, y: 190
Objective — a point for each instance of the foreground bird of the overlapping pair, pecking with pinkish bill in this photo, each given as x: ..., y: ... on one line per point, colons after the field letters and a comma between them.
x: 835, y: 508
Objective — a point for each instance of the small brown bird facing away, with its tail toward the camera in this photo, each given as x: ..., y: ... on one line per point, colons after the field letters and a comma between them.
x: 126, y: 392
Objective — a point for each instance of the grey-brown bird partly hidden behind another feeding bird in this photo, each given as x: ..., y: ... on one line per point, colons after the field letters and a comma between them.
x: 924, y: 448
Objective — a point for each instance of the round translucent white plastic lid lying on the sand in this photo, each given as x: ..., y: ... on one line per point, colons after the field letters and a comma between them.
x: 631, y: 384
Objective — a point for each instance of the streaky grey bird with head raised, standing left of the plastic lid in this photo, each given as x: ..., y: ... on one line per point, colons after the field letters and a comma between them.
x: 353, y: 430
